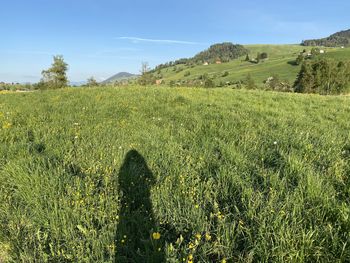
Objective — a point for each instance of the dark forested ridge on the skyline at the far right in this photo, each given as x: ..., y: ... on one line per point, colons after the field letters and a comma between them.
x: 338, y: 39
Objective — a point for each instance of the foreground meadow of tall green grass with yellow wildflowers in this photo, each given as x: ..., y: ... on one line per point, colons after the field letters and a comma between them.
x: 174, y: 175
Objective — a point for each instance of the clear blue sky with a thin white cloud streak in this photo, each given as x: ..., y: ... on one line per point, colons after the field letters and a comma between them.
x: 102, y: 37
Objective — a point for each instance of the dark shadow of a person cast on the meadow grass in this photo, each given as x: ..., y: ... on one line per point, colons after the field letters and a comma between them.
x: 137, y: 239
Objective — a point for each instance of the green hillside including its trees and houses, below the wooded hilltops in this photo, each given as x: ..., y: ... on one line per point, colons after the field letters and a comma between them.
x: 267, y: 67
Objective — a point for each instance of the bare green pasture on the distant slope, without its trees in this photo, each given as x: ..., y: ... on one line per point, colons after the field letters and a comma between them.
x: 279, y: 56
